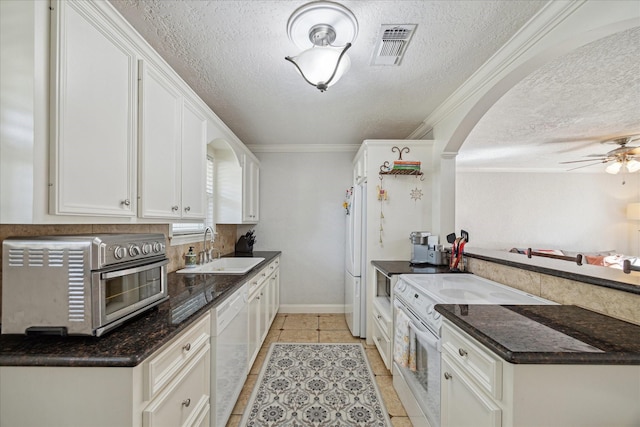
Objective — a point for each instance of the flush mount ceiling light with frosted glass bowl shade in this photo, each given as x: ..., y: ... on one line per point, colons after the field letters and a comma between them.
x: 325, y: 31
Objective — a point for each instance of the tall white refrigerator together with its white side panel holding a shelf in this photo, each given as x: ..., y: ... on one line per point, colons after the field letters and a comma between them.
x: 379, y: 229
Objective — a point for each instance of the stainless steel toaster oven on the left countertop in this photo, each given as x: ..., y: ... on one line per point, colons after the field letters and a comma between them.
x: 80, y: 285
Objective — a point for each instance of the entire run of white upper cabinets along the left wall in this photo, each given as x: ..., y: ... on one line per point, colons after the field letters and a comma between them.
x: 113, y: 133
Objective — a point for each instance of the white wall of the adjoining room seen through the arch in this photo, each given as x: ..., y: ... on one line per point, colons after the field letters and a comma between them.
x: 571, y: 211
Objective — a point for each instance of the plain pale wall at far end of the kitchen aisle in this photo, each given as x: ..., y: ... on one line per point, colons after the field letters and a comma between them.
x: 301, y: 214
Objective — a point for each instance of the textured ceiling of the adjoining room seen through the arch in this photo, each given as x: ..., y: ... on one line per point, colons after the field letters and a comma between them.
x: 562, y: 111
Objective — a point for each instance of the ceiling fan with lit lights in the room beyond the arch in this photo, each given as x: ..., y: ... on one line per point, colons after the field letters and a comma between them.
x: 625, y: 156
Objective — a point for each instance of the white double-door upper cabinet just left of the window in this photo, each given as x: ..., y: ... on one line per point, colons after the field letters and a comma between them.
x: 172, y: 150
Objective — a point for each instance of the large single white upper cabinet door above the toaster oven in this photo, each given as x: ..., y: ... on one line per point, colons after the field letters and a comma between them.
x: 93, y: 117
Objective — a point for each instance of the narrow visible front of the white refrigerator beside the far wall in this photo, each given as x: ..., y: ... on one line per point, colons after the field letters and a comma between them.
x: 355, y: 273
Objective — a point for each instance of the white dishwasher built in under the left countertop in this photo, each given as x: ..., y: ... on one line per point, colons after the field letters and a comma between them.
x: 229, y: 361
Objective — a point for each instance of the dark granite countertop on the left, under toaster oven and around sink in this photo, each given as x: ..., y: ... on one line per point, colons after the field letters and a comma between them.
x: 190, y: 296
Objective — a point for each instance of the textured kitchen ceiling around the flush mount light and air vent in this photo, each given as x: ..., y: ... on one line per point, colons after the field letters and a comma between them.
x: 232, y: 54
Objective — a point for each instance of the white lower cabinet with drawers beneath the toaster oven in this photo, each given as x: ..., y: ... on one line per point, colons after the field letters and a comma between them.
x: 170, y: 388
